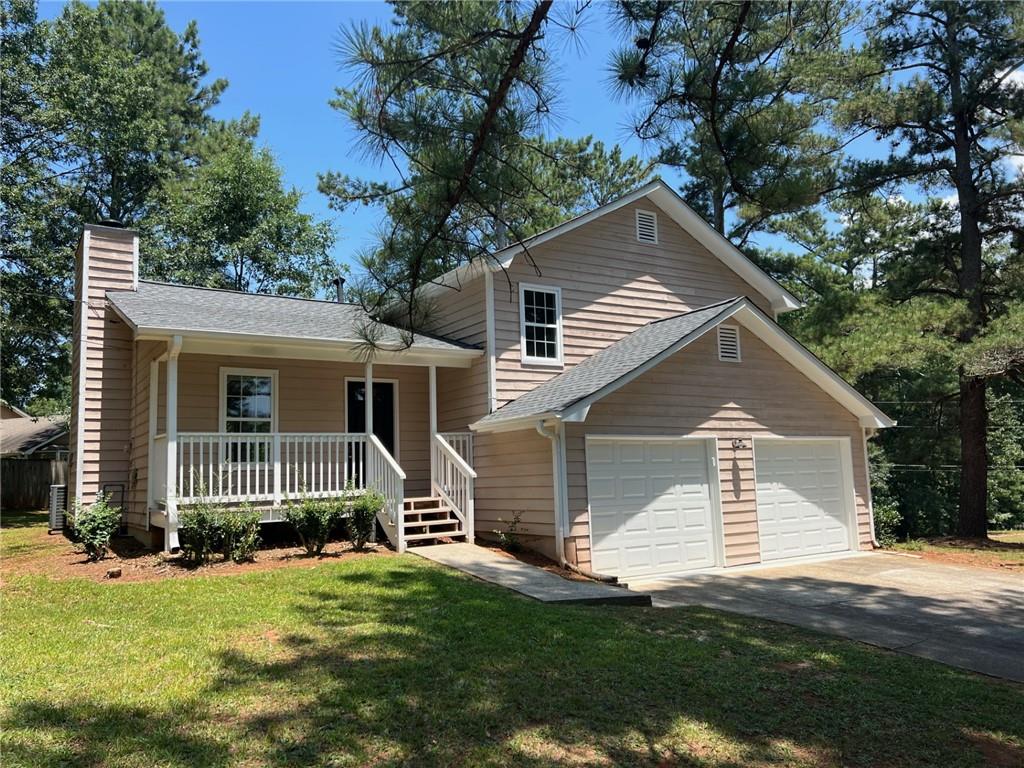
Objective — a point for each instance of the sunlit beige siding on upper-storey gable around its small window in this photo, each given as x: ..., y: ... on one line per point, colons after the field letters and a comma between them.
x: 611, y: 285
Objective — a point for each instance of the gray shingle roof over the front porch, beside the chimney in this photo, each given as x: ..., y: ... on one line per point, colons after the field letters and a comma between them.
x: 187, y: 309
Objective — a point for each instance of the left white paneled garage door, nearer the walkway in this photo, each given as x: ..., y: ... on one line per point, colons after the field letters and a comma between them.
x: 651, y: 507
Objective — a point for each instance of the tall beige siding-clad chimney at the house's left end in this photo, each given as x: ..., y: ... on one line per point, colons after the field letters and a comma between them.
x: 102, y: 365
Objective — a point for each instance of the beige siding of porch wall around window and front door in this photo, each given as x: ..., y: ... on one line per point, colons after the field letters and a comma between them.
x: 312, y: 399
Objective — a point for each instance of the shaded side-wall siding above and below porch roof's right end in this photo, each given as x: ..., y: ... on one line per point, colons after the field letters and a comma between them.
x: 462, y: 394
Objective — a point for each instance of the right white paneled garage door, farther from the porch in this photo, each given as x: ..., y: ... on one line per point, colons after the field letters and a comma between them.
x: 802, y: 499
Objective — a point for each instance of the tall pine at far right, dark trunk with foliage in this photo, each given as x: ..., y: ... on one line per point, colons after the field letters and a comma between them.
x: 953, y: 115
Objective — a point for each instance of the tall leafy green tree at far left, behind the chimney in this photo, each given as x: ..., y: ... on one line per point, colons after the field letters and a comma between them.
x: 99, y: 107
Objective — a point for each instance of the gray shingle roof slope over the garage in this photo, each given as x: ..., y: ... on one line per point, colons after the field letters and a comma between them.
x: 610, y: 365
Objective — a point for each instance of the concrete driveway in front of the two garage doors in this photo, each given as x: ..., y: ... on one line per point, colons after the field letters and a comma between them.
x: 968, y: 618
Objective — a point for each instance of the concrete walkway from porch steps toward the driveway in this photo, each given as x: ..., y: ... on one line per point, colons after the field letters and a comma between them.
x: 526, y: 579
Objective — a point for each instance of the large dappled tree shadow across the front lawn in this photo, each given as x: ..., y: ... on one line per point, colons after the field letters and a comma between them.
x: 407, y: 664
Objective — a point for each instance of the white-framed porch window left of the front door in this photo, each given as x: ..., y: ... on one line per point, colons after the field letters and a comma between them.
x: 248, y: 406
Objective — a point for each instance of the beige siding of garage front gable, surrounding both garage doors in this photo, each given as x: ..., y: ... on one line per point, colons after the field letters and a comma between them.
x: 694, y: 395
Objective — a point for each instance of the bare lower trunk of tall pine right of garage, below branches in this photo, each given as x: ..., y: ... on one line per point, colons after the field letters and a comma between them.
x: 973, y: 519
